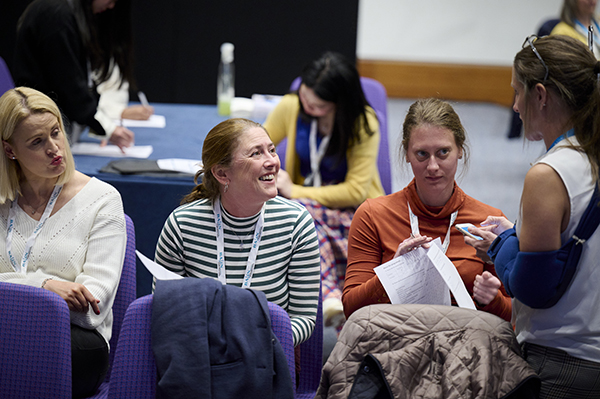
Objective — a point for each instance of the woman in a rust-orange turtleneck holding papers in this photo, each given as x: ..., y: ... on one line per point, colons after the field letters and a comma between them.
x: 433, y: 142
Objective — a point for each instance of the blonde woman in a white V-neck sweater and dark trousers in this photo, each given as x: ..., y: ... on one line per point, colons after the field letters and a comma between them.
x: 61, y: 230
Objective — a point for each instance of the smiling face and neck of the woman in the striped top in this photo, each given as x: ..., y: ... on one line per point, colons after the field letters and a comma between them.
x: 252, y: 176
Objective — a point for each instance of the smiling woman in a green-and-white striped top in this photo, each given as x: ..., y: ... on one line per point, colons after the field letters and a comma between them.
x: 233, y: 227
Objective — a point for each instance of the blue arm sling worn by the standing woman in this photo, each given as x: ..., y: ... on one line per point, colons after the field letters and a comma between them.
x: 539, y: 279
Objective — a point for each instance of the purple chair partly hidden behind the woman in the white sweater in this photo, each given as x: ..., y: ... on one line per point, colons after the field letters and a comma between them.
x: 126, y: 293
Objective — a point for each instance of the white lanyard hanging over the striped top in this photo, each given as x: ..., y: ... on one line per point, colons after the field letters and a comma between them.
x: 258, y: 229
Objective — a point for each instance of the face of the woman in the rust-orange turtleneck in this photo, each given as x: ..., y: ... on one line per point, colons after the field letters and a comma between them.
x: 433, y: 156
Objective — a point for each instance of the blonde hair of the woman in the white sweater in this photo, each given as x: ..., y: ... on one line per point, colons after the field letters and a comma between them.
x: 16, y: 105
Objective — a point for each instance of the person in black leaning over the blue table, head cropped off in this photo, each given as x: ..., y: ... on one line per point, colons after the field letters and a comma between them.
x: 68, y: 49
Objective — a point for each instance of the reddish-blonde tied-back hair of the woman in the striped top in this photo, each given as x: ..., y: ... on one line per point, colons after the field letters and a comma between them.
x: 218, y: 149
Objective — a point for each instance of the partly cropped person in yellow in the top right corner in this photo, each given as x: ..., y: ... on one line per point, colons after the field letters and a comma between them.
x: 575, y: 18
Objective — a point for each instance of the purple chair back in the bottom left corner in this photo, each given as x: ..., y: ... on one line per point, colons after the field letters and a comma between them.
x: 35, y: 343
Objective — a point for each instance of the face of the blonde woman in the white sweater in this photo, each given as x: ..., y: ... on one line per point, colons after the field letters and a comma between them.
x: 38, y: 145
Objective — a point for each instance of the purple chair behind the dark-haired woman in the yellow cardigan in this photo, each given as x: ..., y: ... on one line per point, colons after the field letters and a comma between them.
x: 376, y: 95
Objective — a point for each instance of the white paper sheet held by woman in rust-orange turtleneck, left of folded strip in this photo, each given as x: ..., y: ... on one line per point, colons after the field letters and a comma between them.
x: 412, y: 278
